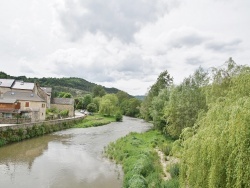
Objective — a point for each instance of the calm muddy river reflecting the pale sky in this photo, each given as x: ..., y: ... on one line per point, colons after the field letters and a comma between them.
x: 71, y: 158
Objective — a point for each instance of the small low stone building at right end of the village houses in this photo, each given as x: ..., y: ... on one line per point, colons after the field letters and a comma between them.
x: 64, y: 104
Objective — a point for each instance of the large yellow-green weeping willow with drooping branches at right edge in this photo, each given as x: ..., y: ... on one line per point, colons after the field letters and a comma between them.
x: 218, y: 153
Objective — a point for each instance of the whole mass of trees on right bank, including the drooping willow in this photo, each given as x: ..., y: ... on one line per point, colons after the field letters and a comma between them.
x: 208, y: 116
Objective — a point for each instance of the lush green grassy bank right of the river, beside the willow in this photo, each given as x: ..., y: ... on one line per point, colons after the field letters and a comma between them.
x: 140, y: 161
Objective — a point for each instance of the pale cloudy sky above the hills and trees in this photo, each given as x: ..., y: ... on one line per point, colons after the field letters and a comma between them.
x: 121, y: 43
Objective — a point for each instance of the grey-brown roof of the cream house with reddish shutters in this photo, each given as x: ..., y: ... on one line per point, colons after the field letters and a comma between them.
x: 23, y: 96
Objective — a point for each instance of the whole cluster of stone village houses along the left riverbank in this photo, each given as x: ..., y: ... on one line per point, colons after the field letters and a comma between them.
x: 25, y: 99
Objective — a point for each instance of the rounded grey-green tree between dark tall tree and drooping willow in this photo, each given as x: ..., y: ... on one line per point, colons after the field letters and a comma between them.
x: 185, y: 103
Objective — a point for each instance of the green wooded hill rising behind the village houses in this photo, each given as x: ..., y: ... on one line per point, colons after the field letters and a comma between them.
x: 75, y: 86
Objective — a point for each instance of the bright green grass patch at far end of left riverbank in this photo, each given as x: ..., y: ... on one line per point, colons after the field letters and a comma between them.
x: 95, y: 121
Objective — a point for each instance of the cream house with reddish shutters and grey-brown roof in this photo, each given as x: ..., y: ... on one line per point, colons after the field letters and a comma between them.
x: 29, y: 104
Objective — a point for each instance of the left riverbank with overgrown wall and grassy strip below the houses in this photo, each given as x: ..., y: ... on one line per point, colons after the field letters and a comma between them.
x: 18, y: 132
